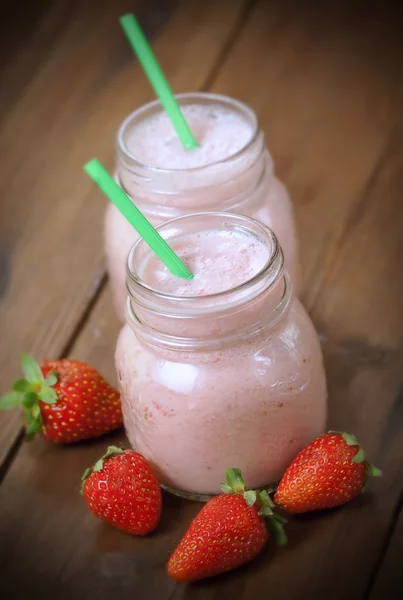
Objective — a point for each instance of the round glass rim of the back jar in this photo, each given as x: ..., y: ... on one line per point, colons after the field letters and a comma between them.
x: 217, y: 98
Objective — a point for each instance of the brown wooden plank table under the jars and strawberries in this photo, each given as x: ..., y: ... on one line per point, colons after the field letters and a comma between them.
x: 326, y: 82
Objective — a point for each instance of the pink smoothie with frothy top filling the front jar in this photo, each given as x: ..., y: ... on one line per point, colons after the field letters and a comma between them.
x: 251, y: 397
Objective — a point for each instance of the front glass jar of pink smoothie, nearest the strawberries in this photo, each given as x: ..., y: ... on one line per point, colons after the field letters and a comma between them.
x: 233, y: 379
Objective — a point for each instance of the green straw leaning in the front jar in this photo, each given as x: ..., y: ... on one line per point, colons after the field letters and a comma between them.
x: 144, y: 228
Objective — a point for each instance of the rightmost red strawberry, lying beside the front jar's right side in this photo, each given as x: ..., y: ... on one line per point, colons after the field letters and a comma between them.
x: 328, y: 472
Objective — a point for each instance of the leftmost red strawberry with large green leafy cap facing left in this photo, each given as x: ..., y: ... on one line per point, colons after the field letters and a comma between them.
x: 65, y: 399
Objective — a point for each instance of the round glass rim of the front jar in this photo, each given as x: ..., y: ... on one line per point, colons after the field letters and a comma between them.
x: 275, y: 259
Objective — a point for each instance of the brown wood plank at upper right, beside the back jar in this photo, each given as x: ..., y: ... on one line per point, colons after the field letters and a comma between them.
x: 326, y: 108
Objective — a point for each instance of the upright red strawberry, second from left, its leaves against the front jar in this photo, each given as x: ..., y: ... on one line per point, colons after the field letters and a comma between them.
x: 122, y: 490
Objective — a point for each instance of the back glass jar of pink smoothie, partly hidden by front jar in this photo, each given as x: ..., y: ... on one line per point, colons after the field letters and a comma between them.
x: 242, y: 182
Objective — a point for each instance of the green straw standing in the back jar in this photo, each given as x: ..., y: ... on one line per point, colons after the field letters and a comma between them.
x: 142, y: 49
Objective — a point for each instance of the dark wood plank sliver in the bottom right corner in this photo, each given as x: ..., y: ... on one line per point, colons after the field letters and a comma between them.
x: 389, y: 582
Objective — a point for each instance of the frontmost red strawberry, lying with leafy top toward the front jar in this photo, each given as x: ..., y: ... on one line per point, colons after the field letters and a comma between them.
x: 228, y: 532
